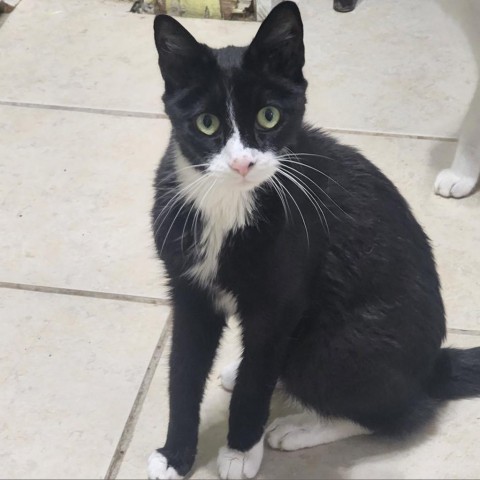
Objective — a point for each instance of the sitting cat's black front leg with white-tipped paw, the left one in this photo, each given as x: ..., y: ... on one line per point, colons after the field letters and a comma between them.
x: 195, y: 337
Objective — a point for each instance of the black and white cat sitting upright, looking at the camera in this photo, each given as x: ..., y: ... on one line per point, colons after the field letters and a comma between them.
x: 311, y: 247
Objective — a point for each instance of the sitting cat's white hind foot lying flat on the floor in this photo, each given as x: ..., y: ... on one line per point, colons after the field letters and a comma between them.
x: 307, y: 429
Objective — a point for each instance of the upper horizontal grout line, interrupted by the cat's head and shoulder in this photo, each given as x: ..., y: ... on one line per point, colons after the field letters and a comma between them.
x: 158, y: 115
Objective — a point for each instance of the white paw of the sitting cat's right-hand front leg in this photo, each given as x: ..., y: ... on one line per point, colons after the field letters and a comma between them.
x: 233, y: 464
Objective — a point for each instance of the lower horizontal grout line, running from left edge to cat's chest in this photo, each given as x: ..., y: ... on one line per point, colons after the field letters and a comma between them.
x: 85, y: 293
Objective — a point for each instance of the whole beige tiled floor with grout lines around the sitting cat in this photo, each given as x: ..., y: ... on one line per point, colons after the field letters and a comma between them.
x: 83, y: 308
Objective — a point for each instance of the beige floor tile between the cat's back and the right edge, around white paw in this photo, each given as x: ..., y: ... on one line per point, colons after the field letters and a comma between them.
x: 451, y: 224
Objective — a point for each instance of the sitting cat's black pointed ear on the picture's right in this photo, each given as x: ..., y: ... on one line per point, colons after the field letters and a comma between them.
x: 278, y: 46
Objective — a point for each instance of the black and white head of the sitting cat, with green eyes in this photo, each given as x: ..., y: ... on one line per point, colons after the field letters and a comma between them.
x: 234, y: 110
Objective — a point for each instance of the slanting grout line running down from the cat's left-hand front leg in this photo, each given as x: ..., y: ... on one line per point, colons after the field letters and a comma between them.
x: 129, y: 428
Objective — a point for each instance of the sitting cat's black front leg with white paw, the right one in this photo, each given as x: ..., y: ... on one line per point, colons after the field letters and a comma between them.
x: 265, y: 338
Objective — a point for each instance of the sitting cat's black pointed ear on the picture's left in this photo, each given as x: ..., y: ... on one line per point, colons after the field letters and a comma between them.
x: 180, y: 56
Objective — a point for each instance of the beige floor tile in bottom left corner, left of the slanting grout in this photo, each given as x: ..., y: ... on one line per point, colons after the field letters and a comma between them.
x: 70, y: 369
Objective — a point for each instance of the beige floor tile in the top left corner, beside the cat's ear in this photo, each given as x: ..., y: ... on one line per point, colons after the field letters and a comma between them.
x: 72, y: 53
